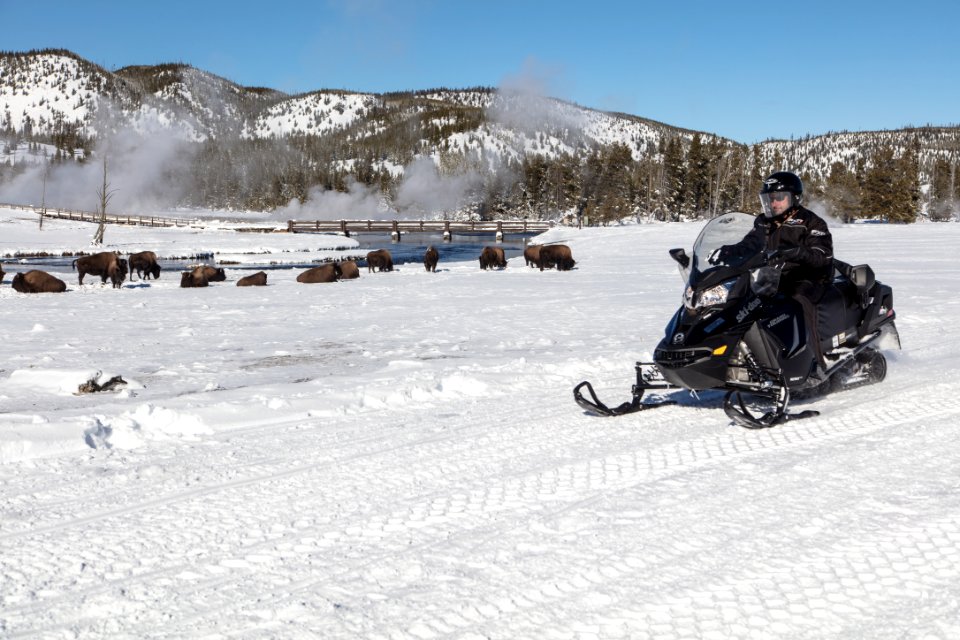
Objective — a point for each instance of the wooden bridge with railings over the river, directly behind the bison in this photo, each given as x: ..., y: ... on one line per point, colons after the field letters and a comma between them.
x: 397, y: 227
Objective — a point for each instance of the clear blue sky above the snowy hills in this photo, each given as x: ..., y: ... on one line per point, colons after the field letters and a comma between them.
x: 744, y: 70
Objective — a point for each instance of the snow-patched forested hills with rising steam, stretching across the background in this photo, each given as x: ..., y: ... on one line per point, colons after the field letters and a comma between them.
x: 476, y: 152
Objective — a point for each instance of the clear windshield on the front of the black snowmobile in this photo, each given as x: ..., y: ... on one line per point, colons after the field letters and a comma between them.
x: 718, y: 247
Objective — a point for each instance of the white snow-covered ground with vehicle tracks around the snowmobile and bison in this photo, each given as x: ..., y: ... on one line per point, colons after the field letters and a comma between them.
x: 400, y: 456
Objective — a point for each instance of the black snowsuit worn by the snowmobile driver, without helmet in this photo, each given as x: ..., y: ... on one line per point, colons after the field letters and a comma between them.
x: 809, y: 267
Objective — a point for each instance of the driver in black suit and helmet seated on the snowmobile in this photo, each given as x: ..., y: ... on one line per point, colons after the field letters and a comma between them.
x: 794, y: 237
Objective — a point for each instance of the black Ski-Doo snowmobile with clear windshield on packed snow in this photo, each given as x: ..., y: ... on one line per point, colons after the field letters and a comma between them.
x: 734, y: 332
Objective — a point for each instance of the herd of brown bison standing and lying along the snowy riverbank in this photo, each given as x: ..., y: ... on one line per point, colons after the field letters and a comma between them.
x: 110, y: 265
